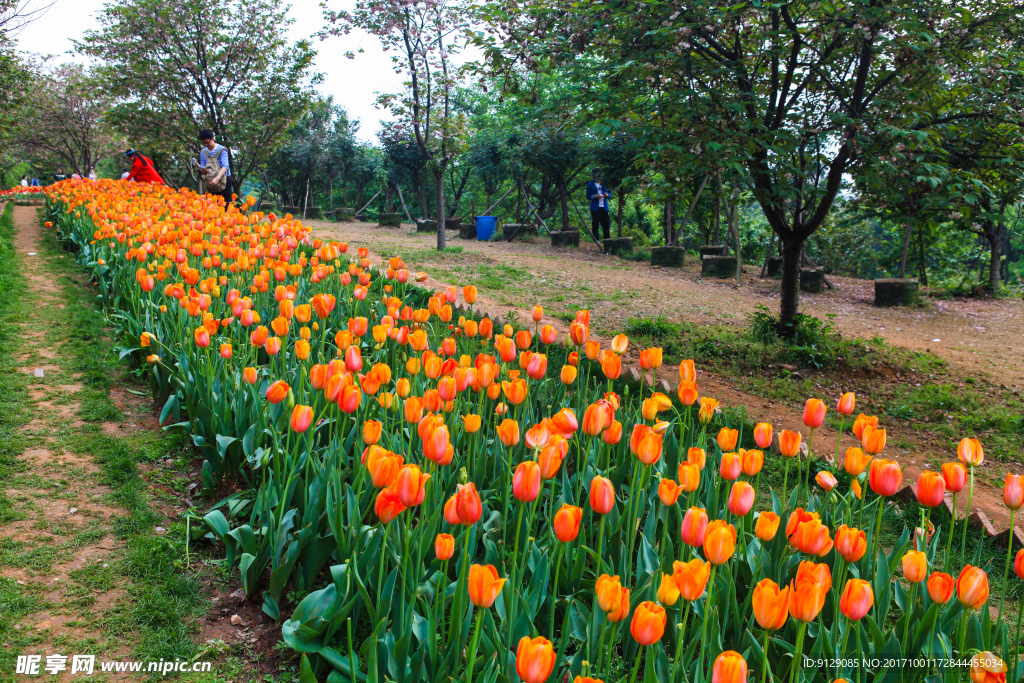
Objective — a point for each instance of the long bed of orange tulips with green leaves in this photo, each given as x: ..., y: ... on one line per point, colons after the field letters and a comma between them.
x: 464, y: 500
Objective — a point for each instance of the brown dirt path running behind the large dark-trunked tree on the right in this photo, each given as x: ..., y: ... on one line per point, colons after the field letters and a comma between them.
x: 975, y: 336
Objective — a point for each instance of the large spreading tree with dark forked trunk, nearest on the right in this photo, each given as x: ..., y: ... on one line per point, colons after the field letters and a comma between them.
x: 789, y: 96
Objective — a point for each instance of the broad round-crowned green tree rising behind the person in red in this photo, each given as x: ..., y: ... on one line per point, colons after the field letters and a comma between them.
x: 177, y: 67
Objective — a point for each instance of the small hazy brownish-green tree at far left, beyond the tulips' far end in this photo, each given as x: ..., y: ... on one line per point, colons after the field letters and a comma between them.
x: 64, y: 119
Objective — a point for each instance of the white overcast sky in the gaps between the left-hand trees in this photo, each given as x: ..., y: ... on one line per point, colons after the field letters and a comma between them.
x: 352, y: 82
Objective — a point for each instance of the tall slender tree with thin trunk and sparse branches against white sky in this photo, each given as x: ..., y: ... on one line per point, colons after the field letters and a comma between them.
x: 422, y: 33
